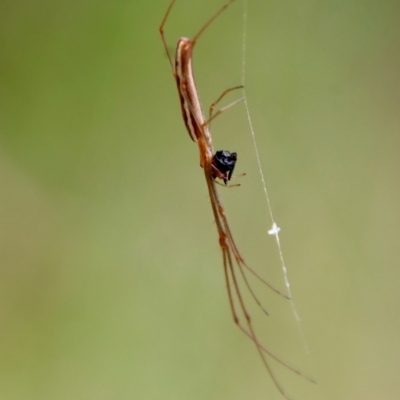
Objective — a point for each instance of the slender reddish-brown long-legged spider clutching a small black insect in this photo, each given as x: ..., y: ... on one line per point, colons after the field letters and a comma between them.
x: 218, y: 165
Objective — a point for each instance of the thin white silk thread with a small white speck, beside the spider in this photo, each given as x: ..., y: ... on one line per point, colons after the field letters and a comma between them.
x: 275, y: 229
